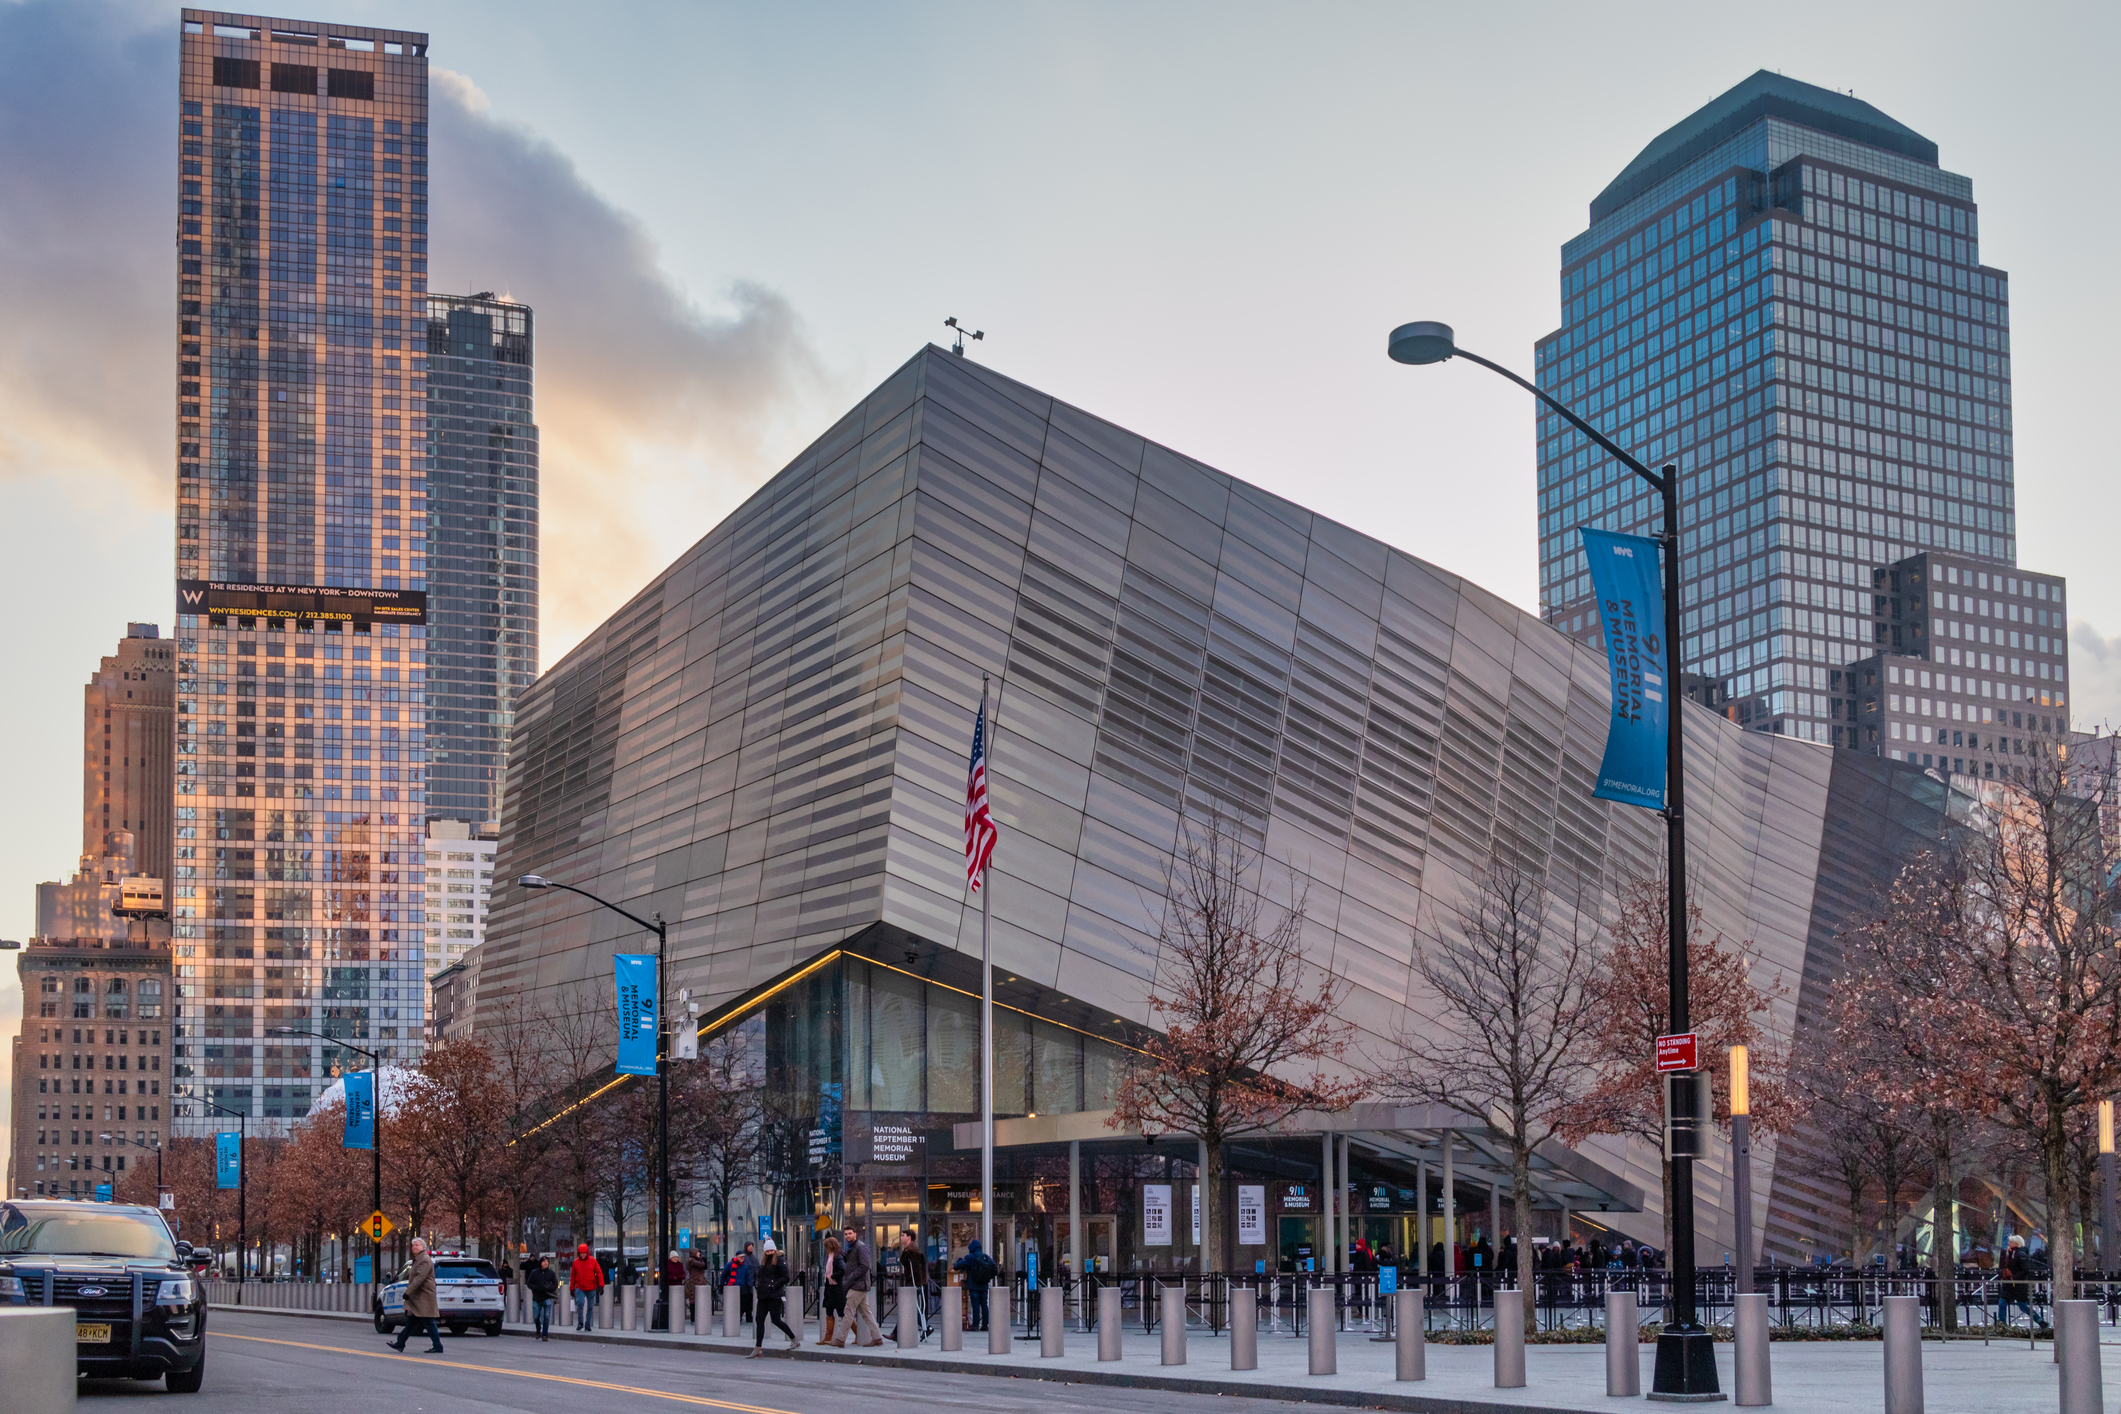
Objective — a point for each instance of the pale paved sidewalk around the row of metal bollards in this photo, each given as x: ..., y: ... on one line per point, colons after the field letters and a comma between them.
x: 1827, y: 1377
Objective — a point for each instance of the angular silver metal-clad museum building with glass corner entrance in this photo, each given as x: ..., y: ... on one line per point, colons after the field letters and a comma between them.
x: 767, y: 745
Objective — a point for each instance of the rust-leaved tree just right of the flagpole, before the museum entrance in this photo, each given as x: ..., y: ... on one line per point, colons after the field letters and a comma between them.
x: 1246, y: 1027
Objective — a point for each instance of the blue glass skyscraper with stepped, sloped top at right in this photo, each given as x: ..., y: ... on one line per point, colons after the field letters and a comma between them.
x: 1785, y: 298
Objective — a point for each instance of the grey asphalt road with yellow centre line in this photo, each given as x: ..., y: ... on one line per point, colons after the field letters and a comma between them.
x: 264, y: 1364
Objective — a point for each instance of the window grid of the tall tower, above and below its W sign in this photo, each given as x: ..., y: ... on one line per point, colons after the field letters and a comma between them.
x: 326, y: 281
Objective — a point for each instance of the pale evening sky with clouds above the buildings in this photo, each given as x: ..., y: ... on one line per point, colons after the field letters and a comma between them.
x: 1193, y: 219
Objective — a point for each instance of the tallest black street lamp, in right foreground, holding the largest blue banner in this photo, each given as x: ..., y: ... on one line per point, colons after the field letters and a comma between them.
x: 1685, y: 1351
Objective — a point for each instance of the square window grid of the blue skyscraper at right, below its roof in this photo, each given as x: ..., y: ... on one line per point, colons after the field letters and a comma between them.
x: 1681, y: 323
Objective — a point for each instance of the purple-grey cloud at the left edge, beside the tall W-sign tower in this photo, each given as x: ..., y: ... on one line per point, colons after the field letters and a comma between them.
x: 88, y: 249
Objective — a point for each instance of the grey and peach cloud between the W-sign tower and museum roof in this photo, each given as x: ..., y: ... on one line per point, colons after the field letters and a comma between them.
x: 656, y: 414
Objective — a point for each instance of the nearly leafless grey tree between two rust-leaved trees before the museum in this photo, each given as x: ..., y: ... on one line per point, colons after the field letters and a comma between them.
x: 1518, y: 1000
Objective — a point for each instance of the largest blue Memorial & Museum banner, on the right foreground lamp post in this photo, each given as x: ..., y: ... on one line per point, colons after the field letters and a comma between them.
x: 1626, y: 578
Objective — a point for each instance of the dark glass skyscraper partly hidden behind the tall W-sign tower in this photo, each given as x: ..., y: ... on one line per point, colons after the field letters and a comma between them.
x: 483, y: 548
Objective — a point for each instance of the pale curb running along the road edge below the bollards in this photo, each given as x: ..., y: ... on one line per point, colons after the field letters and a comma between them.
x: 1110, y: 1379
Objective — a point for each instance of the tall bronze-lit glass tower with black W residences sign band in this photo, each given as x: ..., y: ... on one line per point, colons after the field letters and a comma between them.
x: 302, y: 554
